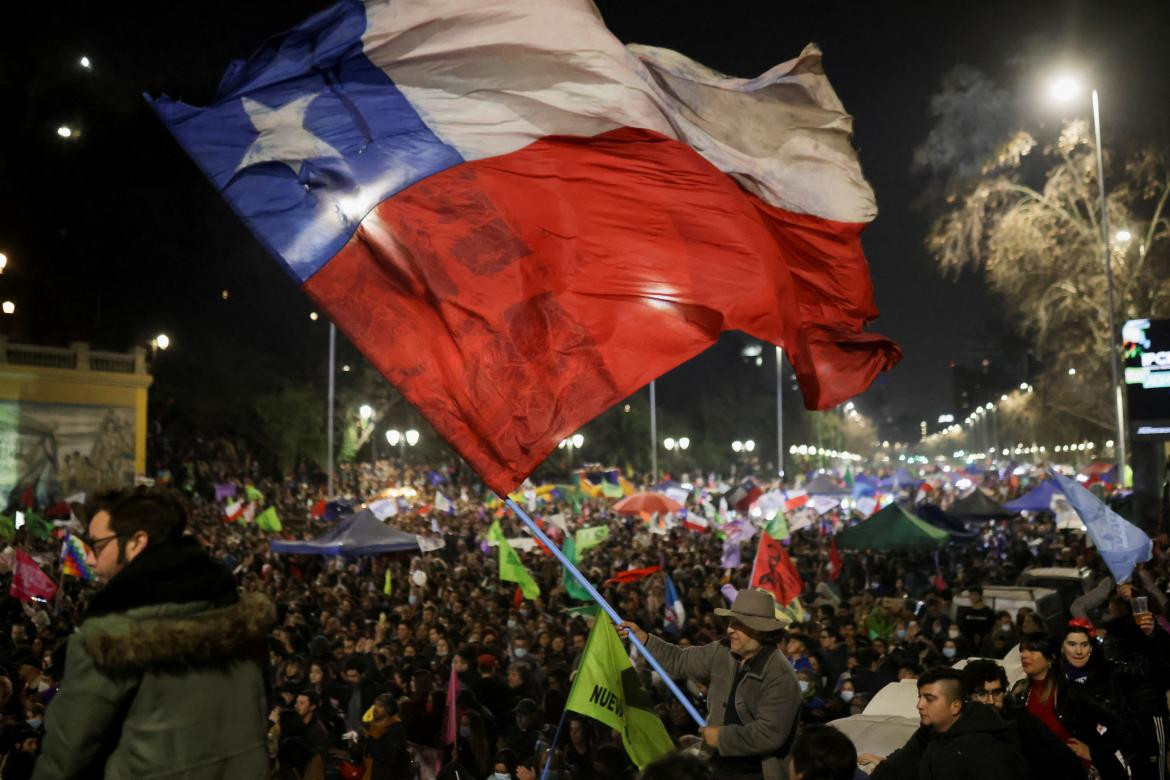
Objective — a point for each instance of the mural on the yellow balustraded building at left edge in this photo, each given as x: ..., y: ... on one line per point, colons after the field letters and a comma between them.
x: 60, y: 450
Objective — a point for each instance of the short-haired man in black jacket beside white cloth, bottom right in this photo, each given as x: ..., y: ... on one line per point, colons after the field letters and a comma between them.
x: 958, y: 741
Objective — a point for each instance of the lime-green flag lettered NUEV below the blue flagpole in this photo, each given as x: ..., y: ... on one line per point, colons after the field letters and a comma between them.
x: 608, y: 689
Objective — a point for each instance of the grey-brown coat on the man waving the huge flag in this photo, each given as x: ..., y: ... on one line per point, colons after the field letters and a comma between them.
x: 767, y: 701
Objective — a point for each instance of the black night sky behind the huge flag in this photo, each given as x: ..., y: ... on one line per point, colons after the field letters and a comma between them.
x: 114, y: 236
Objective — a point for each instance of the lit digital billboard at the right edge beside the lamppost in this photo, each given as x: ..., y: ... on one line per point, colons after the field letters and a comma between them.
x: 1147, y: 353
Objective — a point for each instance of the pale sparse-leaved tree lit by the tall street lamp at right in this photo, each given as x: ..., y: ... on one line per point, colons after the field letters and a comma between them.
x: 1030, y: 220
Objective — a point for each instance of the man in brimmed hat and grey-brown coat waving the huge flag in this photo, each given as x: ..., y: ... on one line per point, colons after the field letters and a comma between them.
x: 753, y: 695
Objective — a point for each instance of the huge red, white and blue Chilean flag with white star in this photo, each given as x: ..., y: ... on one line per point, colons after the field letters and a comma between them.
x: 521, y: 220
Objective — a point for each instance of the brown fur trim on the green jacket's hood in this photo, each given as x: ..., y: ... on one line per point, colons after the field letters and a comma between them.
x: 185, y: 640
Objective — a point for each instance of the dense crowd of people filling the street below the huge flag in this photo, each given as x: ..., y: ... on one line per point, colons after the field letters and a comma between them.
x: 359, y: 655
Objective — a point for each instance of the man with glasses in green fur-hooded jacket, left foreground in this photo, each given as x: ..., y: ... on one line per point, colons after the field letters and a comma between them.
x: 164, y: 677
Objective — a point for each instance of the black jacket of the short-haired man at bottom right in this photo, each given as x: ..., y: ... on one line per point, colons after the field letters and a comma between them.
x: 980, y: 746
